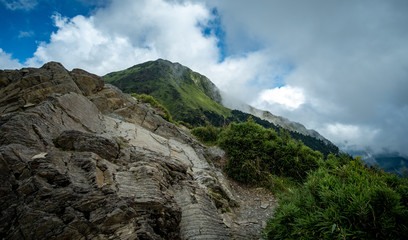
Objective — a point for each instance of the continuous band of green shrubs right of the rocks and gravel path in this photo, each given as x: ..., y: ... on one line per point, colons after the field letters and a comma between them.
x: 335, y: 198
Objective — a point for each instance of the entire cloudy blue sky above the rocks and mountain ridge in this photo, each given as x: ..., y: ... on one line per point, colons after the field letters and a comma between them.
x: 336, y: 66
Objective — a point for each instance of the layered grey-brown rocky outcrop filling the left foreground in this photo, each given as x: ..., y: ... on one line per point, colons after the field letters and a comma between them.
x: 81, y: 160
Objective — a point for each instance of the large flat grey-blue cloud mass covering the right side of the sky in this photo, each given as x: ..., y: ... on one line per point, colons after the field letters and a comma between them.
x: 349, y: 58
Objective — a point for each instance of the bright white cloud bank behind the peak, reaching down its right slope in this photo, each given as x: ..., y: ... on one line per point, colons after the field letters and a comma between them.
x: 128, y: 33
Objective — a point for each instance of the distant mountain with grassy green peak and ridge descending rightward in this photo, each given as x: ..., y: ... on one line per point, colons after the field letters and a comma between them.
x: 192, y: 98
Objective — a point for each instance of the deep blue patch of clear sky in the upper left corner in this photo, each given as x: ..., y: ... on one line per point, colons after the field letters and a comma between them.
x: 24, y: 25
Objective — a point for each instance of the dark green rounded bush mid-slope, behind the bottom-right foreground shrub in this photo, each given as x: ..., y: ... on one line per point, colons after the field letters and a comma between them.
x: 255, y: 152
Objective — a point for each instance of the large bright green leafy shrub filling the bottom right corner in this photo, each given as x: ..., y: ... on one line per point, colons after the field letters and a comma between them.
x: 343, y: 200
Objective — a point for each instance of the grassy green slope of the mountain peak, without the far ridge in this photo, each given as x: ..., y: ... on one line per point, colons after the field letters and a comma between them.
x: 189, y: 96
